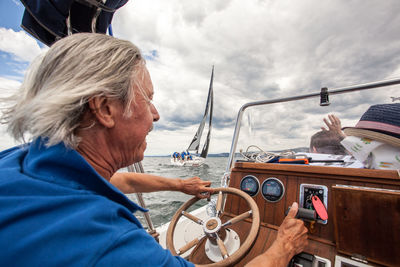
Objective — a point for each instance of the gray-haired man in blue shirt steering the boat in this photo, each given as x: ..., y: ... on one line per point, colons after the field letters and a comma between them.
x: 87, y: 107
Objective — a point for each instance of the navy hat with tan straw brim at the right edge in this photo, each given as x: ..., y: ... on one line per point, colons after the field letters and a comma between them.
x: 380, y: 123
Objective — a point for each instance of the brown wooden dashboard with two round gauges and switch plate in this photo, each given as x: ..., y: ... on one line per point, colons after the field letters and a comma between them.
x: 363, y: 211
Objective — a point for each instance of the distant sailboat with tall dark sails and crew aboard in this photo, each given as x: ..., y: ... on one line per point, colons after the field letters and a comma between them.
x: 191, y: 156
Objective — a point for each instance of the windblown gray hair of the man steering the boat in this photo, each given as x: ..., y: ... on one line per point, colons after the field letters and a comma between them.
x: 55, y: 92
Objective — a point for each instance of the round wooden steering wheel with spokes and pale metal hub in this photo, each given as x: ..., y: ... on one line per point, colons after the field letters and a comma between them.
x: 213, y: 225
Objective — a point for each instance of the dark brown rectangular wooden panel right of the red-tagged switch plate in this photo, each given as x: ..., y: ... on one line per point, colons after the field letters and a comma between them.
x: 368, y: 223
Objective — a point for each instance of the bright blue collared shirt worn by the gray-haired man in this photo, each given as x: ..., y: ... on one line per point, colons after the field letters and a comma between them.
x: 55, y: 210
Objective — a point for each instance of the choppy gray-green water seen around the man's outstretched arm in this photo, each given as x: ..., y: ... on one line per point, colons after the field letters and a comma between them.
x: 163, y: 205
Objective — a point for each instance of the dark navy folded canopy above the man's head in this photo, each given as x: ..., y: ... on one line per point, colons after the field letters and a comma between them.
x: 46, y: 20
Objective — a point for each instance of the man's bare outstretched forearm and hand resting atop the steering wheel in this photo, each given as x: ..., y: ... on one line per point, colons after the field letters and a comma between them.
x: 129, y: 182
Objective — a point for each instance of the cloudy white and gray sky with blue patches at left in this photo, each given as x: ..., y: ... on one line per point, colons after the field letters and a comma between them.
x: 260, y: 49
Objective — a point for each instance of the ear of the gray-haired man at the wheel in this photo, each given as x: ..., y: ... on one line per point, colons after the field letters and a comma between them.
x: 104, y: 110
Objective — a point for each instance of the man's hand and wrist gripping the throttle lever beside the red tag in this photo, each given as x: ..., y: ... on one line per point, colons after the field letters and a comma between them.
x: 291, y: 240
